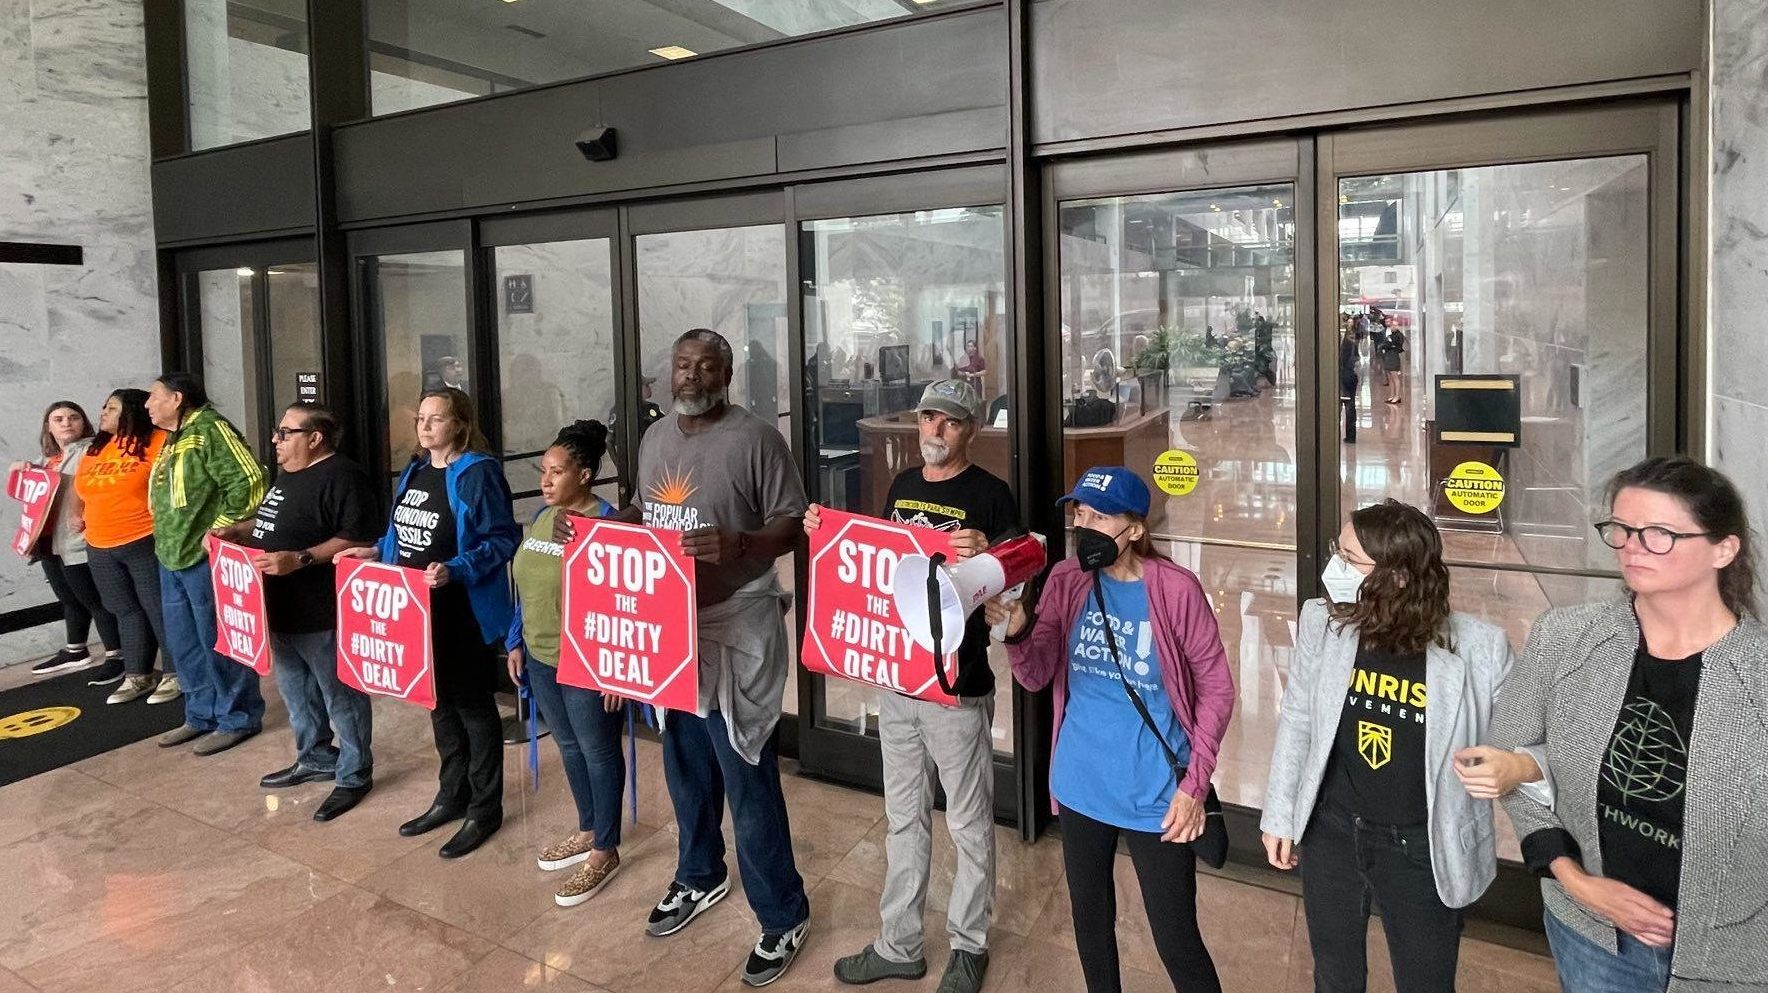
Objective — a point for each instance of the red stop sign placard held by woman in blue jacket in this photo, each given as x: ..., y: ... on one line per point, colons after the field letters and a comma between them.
x: 385, y: 632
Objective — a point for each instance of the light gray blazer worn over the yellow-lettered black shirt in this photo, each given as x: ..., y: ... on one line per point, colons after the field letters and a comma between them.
x: 1461, y: 688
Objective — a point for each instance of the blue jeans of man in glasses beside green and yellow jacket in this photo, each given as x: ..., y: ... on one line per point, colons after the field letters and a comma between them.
x: 307, y: 676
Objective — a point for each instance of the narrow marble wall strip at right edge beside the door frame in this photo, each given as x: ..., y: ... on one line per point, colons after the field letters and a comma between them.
x: 1739, y: 229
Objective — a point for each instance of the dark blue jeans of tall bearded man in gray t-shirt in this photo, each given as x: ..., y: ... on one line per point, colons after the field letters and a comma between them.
x: 703, y: 769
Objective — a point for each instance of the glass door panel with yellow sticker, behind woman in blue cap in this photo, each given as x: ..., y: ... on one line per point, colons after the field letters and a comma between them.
x: 1178, y: 347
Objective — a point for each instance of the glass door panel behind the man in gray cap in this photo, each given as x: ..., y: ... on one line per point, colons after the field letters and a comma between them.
x: 894, y: 303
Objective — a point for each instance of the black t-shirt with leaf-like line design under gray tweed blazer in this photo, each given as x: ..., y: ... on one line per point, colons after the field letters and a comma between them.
x: 1645, y: 773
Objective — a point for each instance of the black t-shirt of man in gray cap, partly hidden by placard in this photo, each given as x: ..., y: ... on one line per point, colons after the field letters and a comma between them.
x: 972, y: 501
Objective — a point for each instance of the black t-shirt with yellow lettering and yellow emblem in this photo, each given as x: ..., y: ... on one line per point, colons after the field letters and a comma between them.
x: 1378, y: 762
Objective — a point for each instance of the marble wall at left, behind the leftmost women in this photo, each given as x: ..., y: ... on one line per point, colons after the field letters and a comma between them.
x: 73, y: 169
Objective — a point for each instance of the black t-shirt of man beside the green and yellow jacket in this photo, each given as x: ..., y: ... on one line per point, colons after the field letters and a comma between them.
x: 330, y: 499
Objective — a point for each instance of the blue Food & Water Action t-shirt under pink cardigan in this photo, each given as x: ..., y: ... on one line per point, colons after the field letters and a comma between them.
x: 1108, y: 764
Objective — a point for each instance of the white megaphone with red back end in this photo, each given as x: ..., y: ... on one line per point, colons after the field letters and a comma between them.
x: 959, y: 589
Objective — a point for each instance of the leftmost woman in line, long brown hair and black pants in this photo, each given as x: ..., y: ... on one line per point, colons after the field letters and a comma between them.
x: 65, y: 437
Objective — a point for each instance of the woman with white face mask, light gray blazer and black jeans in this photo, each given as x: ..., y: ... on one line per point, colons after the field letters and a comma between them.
x: 1387, y: 685
